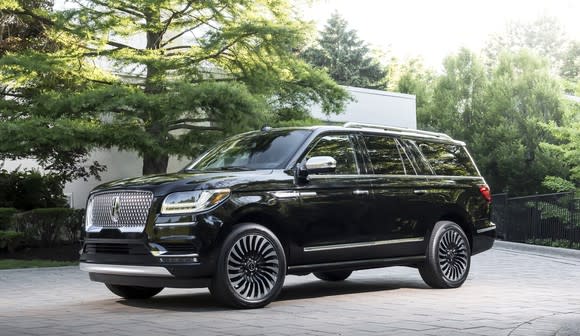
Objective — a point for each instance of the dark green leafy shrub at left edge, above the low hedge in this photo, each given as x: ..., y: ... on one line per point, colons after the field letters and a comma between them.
x: 25, y: 190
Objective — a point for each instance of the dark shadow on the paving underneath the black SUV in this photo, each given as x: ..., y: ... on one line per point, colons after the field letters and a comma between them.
x: 204, y: 302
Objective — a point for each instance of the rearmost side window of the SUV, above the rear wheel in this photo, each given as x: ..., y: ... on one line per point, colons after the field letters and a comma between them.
x: 448, y: 159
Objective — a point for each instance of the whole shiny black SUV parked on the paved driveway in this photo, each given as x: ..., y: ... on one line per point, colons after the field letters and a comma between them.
x: 263, y: 204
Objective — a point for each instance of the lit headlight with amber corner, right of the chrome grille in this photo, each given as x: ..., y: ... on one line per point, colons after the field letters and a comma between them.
x: 193, y: 201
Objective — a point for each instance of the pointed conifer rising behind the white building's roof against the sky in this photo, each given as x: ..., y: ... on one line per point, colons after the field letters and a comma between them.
x: 345, y: 57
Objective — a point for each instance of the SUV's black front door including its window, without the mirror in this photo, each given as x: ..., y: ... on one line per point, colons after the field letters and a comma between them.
x: 333, y: 206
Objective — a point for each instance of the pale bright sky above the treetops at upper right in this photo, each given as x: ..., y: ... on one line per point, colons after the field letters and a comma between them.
x: 434, y: 29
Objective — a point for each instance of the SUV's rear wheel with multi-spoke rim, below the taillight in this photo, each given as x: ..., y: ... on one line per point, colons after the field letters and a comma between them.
x: 448, y: 257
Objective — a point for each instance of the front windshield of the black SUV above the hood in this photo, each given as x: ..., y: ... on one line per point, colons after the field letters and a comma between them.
x: 260, y: 150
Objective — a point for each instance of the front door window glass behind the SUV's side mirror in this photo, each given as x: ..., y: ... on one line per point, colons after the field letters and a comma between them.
x: 339, y: 147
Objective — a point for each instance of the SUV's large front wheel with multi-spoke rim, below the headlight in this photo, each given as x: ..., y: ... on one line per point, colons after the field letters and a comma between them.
x: 251, y: 268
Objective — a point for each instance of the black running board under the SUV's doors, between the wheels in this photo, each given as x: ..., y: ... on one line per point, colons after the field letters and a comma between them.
x: 355, y: 264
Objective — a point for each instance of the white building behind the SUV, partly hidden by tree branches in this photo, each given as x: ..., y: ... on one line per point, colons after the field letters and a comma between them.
x: 369, y: 106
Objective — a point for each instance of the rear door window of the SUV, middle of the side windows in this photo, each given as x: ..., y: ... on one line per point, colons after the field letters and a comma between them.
x: 386, y: 155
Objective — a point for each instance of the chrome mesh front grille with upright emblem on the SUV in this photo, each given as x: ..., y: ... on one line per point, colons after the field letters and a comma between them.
x: 126, y: 210
